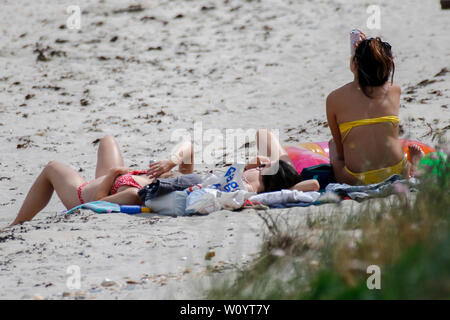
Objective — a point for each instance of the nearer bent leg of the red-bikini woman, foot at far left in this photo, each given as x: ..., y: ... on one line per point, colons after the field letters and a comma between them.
x: 55, y: 177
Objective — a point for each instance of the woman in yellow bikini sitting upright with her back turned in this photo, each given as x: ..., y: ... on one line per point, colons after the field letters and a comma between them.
x: 363, y: 118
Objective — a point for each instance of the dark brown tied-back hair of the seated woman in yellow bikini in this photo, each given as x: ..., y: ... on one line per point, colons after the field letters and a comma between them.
x: 375, y: 63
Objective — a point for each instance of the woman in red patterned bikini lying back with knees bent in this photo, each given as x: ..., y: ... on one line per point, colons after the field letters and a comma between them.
x: 112, y: 183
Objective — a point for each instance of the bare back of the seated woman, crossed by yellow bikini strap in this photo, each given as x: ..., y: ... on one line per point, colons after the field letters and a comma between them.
x: 372, y: 146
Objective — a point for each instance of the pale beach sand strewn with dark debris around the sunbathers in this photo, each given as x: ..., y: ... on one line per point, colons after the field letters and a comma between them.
x: 141, y: 70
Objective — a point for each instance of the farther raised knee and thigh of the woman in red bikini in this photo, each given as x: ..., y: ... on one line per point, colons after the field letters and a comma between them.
x: 108, y: 156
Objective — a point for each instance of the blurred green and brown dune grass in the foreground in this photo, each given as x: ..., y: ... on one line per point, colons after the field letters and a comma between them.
x: 407, y: 237
